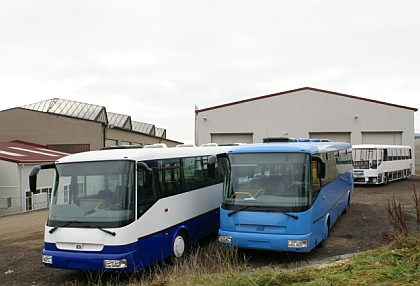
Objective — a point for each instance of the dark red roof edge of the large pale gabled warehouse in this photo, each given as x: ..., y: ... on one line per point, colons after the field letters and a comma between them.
x: 300, y: 89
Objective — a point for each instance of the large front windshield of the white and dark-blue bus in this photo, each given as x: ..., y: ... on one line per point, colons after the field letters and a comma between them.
x: 93, y: 194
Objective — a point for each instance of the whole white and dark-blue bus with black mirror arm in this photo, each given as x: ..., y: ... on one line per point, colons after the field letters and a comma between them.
x: 124, y: 209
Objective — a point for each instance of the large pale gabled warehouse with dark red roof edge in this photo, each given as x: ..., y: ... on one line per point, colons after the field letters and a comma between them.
x: 306, y: 113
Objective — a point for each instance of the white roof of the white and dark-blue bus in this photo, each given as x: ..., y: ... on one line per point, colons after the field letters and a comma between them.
x: 141, y: 154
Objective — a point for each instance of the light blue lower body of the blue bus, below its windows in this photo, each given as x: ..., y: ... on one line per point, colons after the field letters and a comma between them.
x: 272, y: 230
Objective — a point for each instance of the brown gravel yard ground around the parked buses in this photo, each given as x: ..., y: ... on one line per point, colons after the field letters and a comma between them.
x: 364, y: 227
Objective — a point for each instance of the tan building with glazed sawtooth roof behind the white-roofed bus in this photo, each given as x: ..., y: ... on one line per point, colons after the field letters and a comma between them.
x: 72, y: 126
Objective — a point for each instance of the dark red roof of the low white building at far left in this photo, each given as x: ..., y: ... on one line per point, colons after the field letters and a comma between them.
x: 25, y: 152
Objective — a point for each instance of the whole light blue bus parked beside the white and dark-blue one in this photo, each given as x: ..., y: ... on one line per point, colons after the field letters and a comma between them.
x: 284, y: 196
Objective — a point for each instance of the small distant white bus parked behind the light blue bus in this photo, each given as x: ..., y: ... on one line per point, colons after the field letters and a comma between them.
x: 380, y: 164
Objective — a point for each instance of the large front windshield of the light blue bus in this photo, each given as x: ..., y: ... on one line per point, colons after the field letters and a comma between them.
x: 267, y: 182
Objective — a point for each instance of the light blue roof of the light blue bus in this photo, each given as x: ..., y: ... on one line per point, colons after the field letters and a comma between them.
x: 289, y: 147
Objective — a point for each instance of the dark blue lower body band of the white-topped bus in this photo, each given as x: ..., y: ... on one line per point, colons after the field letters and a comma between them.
x: 139, y: 254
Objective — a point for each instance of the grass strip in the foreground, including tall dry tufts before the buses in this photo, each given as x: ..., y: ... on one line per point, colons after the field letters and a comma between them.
x: 397, y: 263
